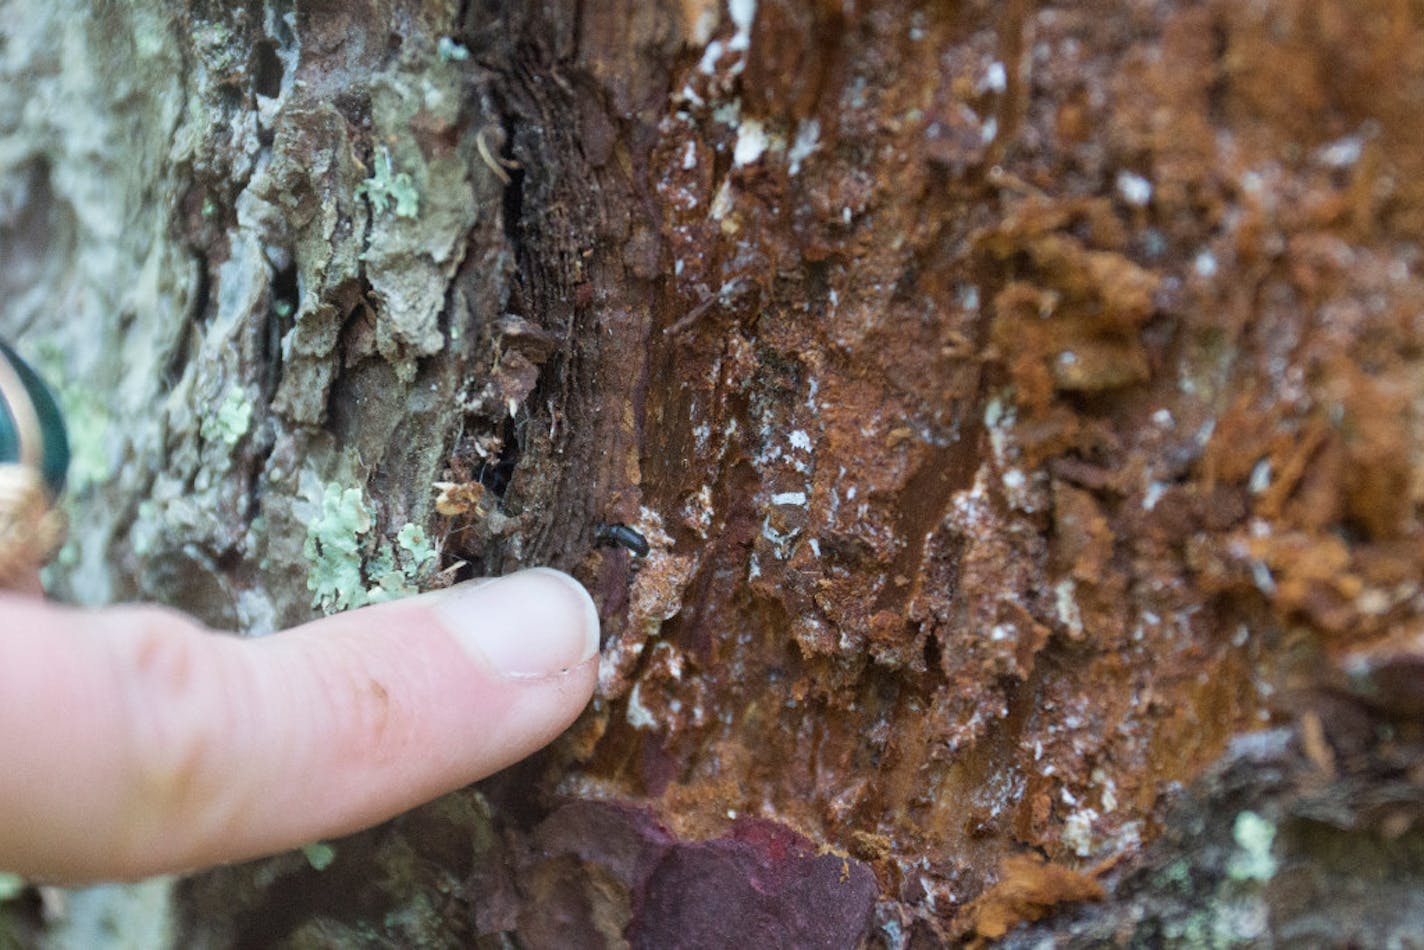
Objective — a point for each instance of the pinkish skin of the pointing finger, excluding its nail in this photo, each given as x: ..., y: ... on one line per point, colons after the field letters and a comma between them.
x: 136, y: 743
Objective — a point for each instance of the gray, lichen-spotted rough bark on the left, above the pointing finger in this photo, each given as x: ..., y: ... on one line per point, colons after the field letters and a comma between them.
x: 196, y: 247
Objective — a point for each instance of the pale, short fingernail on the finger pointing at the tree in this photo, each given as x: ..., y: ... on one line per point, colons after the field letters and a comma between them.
x: 529, y: 625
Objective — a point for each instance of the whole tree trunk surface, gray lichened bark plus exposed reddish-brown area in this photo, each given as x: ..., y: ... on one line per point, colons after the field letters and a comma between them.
x: 1020, y: 402
